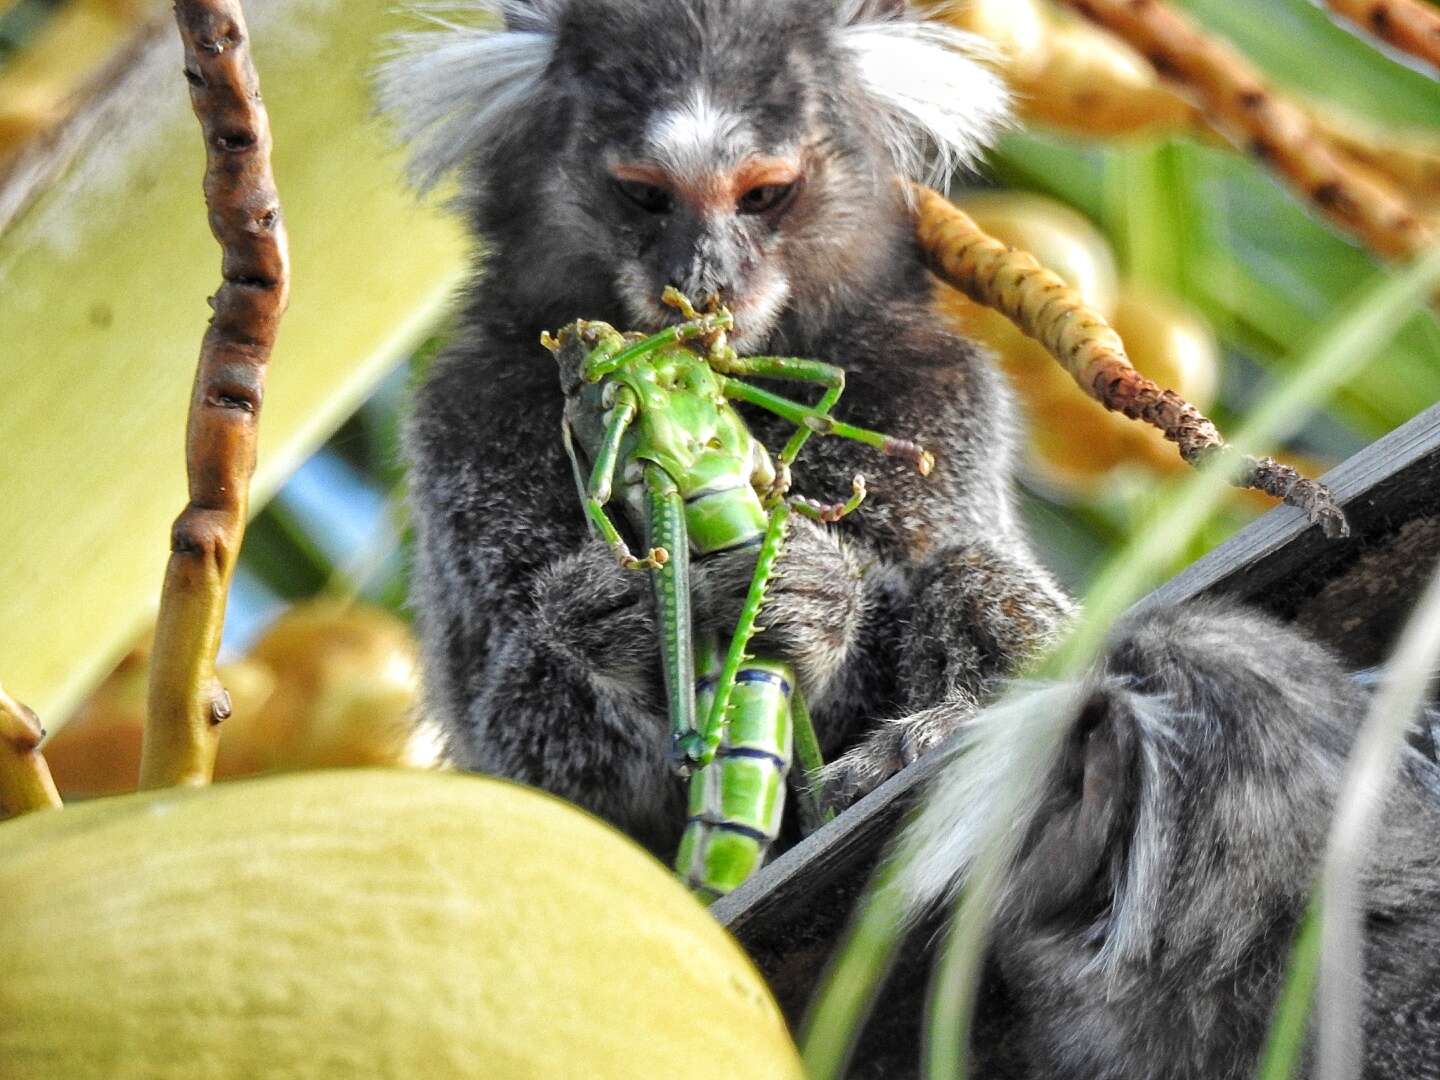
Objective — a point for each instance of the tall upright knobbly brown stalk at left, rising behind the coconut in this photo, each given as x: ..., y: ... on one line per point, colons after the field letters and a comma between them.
x: 186, y: 699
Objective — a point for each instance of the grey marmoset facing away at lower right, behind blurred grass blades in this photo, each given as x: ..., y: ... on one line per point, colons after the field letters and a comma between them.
x: 1158, y: 863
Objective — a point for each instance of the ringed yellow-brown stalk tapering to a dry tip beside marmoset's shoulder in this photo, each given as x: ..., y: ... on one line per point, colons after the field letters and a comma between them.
x: 1038, y: 302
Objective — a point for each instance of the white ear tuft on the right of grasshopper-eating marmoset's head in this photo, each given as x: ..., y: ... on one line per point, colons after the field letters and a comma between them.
x: 941, y: 104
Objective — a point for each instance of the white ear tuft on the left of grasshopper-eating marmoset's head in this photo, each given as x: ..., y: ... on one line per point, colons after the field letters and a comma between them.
x: 460, y: 87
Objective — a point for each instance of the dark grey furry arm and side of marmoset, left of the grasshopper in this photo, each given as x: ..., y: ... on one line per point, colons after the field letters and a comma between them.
x: 541, y: 652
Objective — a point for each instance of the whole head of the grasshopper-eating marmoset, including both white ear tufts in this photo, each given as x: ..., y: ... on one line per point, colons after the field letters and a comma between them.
x: 741, y: 149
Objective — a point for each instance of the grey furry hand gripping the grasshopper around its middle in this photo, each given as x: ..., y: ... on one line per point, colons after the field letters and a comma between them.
x: 814, y: 606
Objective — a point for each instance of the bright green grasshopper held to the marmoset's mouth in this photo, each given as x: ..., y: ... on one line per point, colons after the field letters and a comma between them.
x: 654, y: 418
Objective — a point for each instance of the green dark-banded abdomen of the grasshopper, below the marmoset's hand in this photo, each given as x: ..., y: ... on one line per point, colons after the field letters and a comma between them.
x: 738, y: 801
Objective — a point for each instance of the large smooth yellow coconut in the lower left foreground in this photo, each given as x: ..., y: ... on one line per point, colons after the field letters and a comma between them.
x: 362, y: 924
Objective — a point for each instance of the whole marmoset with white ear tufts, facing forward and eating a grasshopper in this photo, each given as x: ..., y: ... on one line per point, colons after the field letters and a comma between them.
x: 747, y: 150
